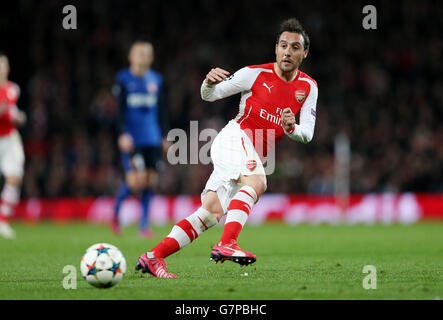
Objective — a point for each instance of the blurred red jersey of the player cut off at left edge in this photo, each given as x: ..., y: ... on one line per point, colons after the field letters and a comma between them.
x: 9, y: 94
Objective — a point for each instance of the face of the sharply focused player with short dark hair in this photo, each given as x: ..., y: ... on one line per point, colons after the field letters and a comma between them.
x: 290, y: 51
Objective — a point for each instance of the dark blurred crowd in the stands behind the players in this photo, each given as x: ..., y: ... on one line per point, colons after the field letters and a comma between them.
x: 383, y: 88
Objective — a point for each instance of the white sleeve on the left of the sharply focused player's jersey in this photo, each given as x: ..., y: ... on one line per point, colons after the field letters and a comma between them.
x: 238, y: 82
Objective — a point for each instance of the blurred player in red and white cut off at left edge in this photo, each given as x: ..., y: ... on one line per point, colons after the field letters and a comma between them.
x: 12, y: 157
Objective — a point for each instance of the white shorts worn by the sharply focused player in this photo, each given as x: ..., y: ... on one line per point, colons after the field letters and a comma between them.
x: 232, y: 154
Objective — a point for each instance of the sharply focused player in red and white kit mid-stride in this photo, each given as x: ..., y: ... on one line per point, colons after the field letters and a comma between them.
x: 271, y: 95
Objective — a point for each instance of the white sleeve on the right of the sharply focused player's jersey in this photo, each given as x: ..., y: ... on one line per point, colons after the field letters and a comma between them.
x: 304, y: 131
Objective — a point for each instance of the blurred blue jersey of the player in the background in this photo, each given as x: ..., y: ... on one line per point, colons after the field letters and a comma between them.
x: 140, y: 101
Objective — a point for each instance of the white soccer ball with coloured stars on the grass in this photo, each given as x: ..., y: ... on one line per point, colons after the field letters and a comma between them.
x: 103, y: 265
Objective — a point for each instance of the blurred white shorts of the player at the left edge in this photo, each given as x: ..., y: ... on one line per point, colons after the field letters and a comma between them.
x: 12, y: 156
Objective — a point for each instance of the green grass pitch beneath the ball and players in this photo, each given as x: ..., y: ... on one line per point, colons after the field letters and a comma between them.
x: 293, y: 262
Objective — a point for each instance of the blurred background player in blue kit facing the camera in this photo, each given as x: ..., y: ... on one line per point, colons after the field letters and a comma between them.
x: 143, y: 122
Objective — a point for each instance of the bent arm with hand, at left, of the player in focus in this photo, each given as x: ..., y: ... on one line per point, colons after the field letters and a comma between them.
x: 218, y: 84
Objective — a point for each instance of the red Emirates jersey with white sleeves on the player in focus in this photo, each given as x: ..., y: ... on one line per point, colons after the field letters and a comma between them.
x: 264, y: 95
